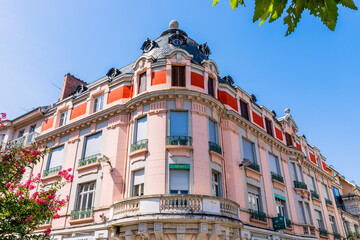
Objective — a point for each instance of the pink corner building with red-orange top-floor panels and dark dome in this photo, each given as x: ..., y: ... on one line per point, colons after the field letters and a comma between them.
x: 165, y: 148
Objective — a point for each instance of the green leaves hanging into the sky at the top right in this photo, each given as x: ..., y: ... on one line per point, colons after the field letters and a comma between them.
x: 325, y: 10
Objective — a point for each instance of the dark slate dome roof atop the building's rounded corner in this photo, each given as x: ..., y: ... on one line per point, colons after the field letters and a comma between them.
x: 163, y: 47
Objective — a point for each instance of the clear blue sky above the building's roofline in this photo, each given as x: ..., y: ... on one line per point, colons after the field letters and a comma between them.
x: 314, y: 72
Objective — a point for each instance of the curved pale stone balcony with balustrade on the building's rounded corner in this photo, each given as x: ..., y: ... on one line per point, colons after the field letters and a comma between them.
x: 174, y: 205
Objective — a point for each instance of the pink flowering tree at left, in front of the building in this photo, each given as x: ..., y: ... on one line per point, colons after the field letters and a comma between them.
x: 25, y: 203
